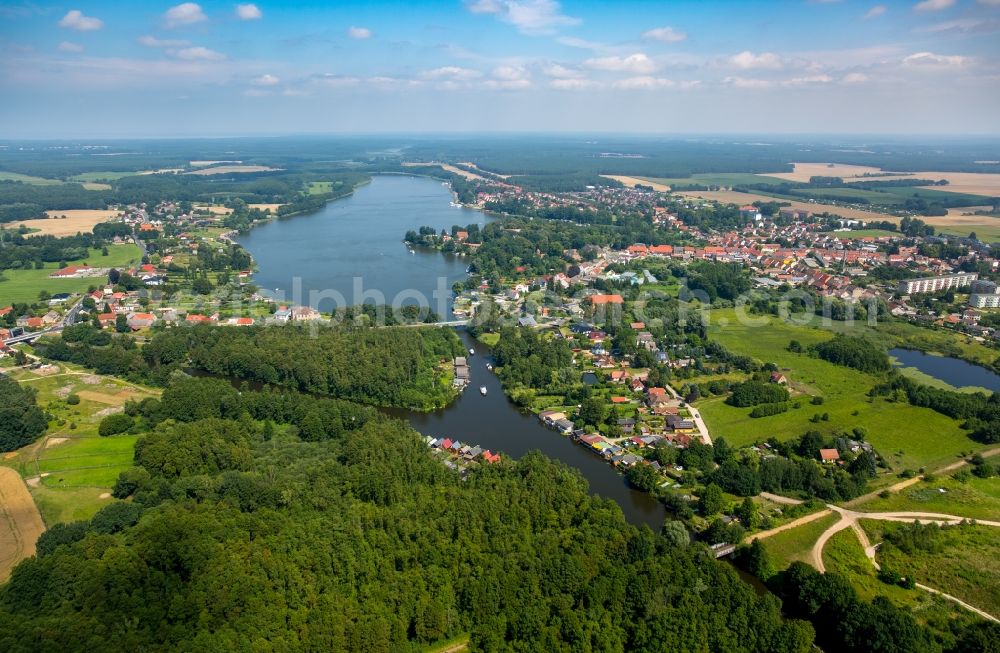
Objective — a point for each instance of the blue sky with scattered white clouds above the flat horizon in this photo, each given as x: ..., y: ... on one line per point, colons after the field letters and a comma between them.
x: 152, y: 69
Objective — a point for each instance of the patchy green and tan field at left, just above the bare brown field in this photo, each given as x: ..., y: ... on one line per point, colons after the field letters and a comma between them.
x: 71, y: 469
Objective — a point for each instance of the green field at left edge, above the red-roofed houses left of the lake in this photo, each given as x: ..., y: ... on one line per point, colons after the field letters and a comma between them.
x: 24, y: 285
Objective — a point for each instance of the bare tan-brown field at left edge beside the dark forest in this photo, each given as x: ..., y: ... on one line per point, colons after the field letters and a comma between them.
x: 20, y: 522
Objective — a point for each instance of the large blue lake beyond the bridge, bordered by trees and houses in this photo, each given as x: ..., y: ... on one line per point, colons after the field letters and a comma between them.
x: 351, y: 251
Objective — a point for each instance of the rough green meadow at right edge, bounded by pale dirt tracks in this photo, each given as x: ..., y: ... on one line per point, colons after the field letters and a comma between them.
x: 964, y: 562
